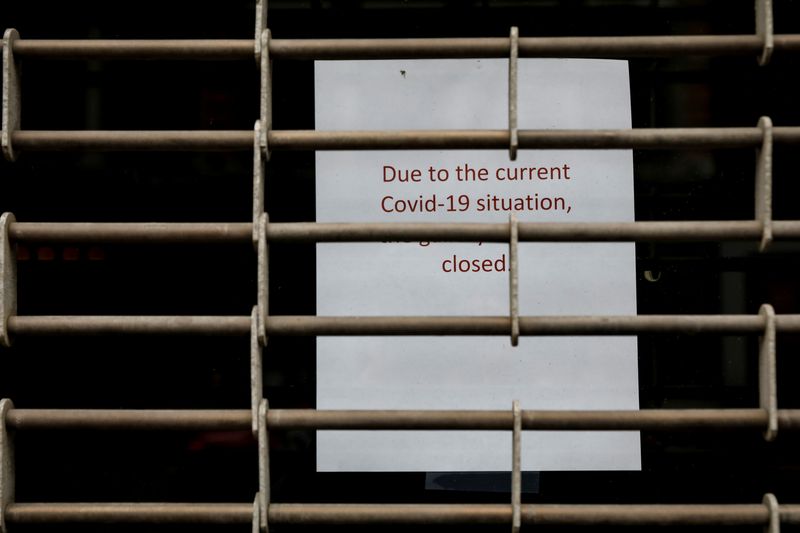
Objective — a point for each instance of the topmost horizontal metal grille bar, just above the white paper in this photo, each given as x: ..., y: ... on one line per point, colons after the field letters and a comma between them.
x: 309, y: 49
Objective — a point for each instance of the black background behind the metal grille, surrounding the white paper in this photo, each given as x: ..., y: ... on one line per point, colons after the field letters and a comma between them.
x: 675, y: 371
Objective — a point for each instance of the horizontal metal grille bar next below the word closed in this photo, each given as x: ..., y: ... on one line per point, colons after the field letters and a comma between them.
x: 304, y: 325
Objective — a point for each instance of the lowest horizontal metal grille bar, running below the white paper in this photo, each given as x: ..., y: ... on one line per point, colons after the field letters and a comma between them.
x: 385, y: 514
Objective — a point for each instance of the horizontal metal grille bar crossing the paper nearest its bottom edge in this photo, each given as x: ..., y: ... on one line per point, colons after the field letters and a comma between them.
x: 483, y: 420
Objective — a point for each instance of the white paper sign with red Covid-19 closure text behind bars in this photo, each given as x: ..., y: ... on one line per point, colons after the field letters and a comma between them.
x: 471, y: 279
